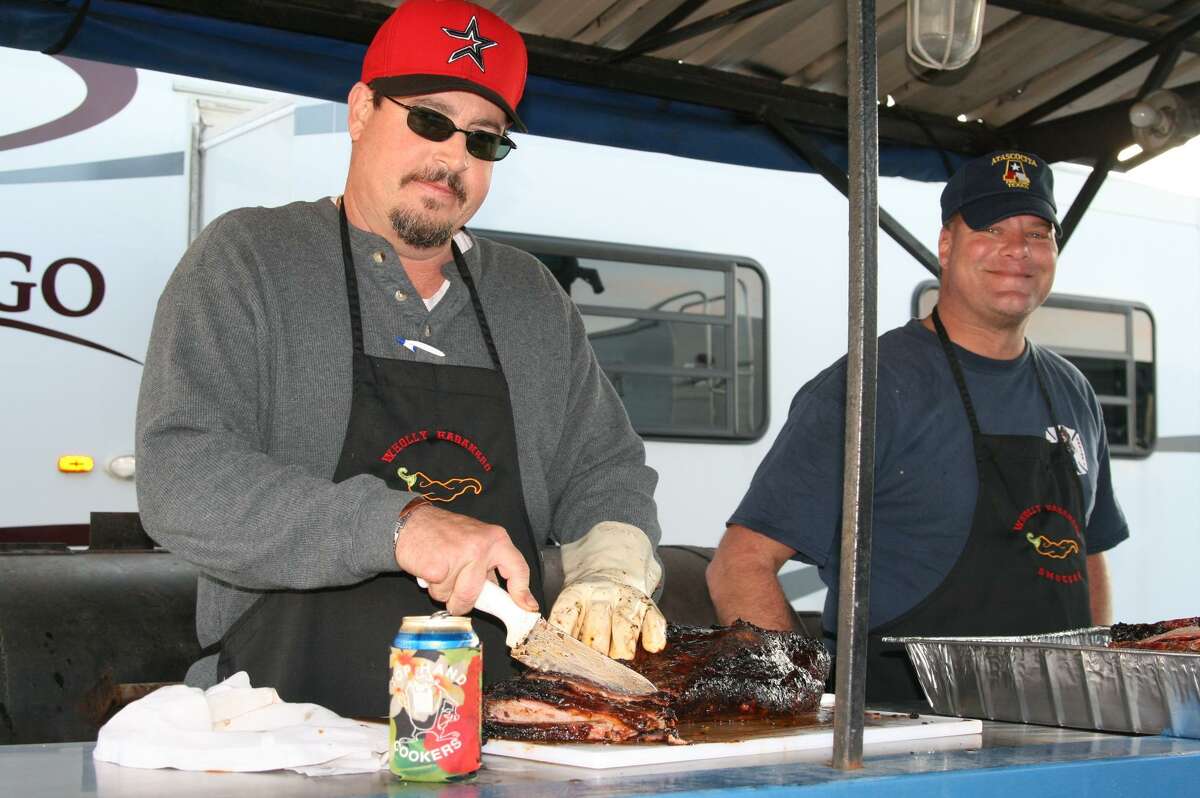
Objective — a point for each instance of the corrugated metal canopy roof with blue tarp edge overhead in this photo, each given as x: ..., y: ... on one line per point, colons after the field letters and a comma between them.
x: 701, y: 79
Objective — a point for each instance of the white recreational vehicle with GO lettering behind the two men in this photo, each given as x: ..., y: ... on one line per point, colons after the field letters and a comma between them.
x: 650, y: 247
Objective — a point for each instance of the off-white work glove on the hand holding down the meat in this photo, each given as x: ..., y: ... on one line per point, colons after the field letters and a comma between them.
x: 608, y: 579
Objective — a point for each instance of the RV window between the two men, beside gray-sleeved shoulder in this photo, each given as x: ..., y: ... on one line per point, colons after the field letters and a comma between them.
x: 687, y: 364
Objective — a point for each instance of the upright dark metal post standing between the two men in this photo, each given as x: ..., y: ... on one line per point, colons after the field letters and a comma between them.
x: 859, y: 487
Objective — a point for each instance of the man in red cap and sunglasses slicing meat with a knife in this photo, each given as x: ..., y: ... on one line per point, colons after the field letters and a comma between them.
x: 347, y: 395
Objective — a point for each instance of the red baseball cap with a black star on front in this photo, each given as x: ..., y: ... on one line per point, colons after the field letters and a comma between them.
x: 428, y: 46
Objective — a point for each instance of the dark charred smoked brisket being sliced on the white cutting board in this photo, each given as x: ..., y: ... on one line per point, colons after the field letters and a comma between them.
x: 704, y: 675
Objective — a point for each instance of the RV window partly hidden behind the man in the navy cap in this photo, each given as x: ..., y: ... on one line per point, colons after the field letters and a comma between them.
x: 1113, y: 344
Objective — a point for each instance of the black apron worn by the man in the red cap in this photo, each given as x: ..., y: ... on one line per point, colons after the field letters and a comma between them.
x: 446, y: 433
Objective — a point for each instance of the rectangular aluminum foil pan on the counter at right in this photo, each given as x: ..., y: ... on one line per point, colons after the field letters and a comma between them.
x: 1066, y: 679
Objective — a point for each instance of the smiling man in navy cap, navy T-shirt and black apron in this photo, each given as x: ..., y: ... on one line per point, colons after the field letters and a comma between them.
x: 993, y: 495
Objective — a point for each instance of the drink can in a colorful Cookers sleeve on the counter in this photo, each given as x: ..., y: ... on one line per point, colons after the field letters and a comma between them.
x: 437, y: 695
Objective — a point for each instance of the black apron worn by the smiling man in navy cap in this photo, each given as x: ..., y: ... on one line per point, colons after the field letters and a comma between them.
x: 1024, y: 568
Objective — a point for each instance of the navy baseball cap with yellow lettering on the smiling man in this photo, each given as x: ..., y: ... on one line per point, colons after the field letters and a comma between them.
x: 999, y: 185
